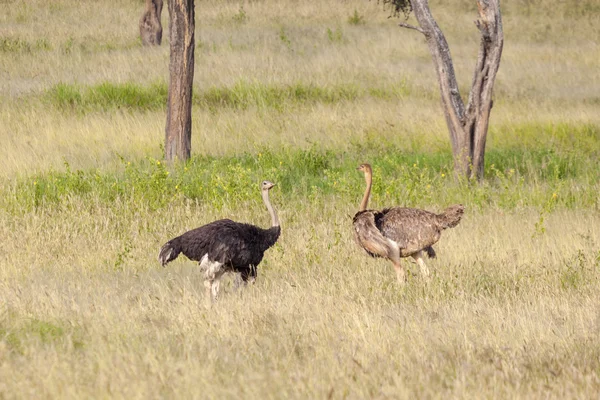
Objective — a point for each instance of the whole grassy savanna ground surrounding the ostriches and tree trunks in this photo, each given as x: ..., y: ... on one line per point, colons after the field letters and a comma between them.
x: 299, y: 93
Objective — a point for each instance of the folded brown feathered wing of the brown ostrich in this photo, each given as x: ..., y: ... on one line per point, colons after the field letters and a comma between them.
x: 412, y: 229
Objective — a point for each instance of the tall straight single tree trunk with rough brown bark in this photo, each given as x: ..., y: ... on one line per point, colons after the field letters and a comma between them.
x: 178, y: 131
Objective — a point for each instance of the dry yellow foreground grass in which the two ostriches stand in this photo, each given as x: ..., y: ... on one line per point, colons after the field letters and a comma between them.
x: 504, y: 316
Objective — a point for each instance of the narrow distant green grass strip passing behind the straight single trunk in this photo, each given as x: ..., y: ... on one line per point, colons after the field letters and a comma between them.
x: 242, y: 95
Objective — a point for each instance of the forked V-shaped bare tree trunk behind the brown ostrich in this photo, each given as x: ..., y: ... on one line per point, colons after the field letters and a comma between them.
x: 468, y: 125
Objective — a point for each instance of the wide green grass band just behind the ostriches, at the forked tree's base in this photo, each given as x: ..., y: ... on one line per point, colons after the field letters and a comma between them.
x: 515, y: 178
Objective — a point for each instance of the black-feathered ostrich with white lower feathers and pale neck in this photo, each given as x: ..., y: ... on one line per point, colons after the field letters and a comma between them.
x: 225, y: 246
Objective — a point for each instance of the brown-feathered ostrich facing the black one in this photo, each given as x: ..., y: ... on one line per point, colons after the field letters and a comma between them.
x: 399, y: 232
